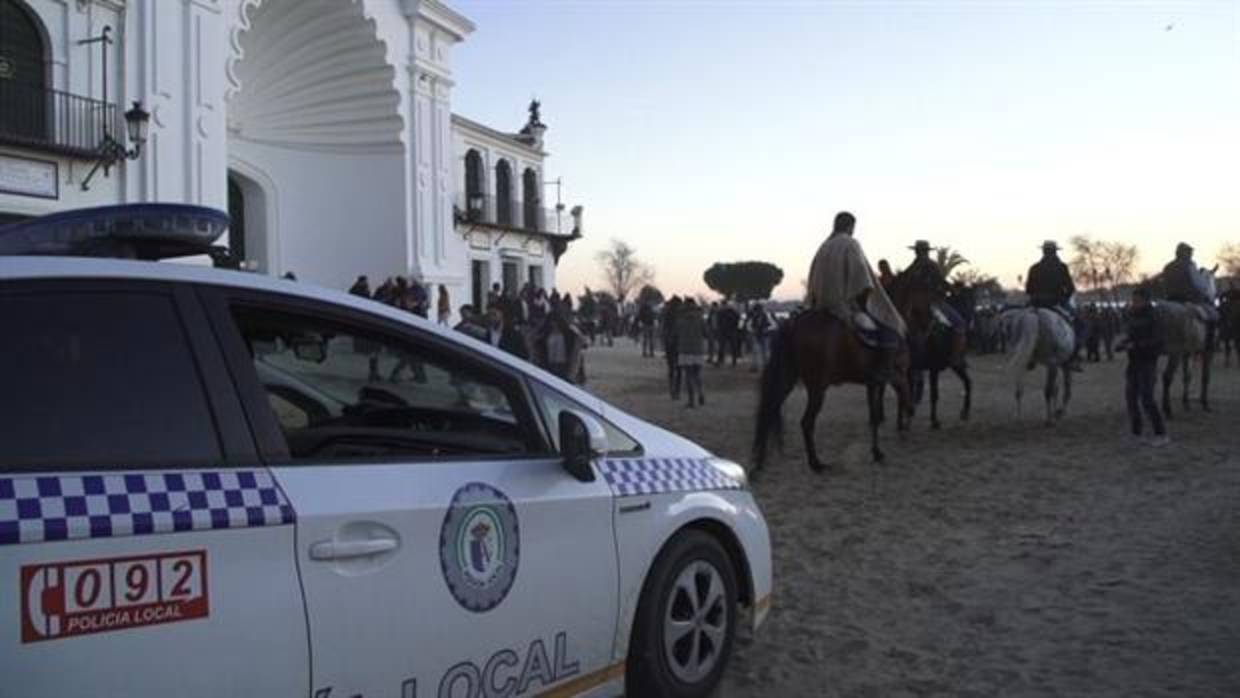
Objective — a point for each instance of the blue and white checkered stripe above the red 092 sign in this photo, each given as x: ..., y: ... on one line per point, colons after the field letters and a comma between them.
x: 63, y: 508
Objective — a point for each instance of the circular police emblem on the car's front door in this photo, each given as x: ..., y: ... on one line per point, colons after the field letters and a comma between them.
x: 479, y: 547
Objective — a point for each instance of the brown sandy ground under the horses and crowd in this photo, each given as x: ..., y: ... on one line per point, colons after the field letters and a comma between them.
x: 996, y: 557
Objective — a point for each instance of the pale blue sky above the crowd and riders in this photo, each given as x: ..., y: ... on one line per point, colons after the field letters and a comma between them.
x: 706, y: 132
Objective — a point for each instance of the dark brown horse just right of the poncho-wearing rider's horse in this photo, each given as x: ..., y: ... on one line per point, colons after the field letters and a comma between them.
x: 936, y: 347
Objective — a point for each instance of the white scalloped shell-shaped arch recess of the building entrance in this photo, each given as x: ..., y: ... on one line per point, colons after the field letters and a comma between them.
x: 314, y: 113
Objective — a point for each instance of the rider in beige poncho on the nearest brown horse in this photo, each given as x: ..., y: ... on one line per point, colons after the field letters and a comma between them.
x: 845, y: 285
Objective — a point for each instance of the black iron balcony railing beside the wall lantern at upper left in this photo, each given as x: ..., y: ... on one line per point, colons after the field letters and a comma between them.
x: 54, y: 121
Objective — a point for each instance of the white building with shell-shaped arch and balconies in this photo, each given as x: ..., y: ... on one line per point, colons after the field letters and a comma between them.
x: 325, y: 127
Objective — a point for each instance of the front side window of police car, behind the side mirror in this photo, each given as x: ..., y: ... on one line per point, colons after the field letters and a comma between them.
x: 345, y: 392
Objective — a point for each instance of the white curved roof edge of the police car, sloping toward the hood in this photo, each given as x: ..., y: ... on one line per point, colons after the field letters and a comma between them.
x: 33, y: 268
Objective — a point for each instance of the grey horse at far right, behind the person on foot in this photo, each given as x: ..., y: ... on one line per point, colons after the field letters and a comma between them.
x: 1187, y: 334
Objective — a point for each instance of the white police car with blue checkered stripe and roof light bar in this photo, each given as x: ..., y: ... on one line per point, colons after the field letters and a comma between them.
x: 223, y: 484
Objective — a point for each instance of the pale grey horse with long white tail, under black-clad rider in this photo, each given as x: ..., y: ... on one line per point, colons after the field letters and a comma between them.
x: 1040, y: 335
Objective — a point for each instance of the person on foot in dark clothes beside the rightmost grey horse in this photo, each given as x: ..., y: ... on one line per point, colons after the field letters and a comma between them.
x: 1144, y: 345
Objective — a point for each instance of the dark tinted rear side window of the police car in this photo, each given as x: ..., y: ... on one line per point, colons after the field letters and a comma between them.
x: 101, y: 380
